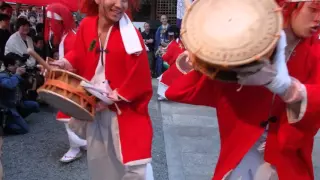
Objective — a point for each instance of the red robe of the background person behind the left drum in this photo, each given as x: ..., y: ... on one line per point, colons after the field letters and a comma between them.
x: 68, y: 44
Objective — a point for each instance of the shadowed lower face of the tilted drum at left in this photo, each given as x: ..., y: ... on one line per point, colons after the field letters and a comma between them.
x: 65, y: 105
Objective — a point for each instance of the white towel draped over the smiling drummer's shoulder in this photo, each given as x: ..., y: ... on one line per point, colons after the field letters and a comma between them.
x: 129, y: 36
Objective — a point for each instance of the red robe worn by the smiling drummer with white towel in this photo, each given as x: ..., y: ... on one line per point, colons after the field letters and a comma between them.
x: 129, y: 74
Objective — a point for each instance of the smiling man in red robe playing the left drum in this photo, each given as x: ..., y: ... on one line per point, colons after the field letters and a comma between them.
x: 109, y: 50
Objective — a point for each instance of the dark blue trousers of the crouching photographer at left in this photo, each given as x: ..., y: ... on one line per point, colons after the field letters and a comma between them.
x: 16, y: 123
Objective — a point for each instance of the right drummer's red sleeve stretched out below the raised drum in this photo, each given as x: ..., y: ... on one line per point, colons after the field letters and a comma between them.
x: 195, y: 88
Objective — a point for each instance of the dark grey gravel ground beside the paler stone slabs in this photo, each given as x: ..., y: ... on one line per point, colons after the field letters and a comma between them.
x: 35, y: 156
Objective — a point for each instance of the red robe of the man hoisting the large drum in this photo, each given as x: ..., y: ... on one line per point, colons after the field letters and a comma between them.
x: 241, y: 116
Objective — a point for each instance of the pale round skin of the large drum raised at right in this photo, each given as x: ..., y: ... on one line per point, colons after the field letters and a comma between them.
x: 228, y: 33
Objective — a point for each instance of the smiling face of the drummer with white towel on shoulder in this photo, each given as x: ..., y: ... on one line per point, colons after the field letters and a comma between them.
x: 112, y: 10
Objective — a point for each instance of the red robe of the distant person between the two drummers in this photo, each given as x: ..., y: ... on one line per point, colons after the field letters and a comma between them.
x: 173, y: 51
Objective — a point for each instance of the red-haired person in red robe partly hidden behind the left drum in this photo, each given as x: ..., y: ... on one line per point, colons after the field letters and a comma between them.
x: 62, y: 27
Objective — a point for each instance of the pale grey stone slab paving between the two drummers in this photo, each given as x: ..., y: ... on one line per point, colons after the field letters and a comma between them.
x: 192, y: 141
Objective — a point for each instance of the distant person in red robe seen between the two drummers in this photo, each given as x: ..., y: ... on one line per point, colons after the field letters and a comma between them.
x: 174, y: 50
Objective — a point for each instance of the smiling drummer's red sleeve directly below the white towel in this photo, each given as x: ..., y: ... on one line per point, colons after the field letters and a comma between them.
x: 138, y: 81
